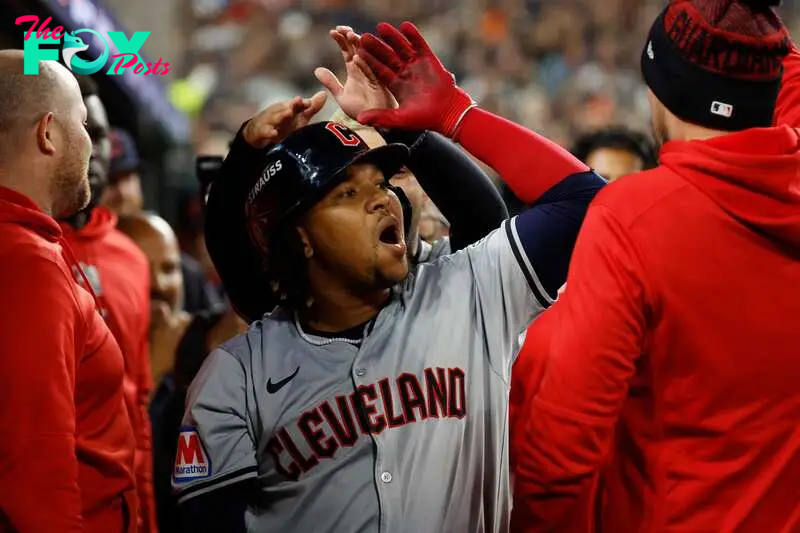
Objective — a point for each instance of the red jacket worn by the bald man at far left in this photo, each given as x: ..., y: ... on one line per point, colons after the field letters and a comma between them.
x: 66, y: 442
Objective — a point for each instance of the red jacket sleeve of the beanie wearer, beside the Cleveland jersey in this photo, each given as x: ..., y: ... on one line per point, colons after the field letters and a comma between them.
x: 598, y: 331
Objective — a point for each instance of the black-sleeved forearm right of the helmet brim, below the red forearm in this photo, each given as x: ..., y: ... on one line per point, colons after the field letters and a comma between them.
x: 462, y: 191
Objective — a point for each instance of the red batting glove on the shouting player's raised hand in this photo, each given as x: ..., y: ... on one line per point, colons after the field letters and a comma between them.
x: 426, y: 91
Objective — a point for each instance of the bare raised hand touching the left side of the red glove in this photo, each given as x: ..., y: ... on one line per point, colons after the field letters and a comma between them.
x: 361, y: 90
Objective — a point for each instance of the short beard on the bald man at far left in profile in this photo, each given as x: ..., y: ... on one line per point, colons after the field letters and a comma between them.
x: 70, y: 186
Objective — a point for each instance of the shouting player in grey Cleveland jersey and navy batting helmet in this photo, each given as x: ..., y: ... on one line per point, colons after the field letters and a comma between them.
x: 372, y: 399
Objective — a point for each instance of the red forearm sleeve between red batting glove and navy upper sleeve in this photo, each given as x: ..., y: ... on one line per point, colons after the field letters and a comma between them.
x: 529, y: 163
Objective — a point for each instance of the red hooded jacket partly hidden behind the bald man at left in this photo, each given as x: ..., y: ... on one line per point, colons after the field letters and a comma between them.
x: 119, y: 274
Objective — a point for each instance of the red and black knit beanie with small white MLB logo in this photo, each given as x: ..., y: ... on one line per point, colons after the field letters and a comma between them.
x: 717, y: 63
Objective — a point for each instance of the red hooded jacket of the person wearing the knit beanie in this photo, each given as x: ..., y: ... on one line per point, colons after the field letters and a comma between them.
x: 676, y: 341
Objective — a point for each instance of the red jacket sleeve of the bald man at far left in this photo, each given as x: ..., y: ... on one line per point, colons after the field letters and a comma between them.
x: 38, y: 467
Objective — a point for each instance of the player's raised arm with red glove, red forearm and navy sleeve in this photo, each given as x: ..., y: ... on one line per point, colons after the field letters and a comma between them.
x: 559, y: 186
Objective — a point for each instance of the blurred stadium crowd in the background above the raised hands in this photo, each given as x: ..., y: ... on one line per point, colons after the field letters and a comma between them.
x: 562, y: 68
